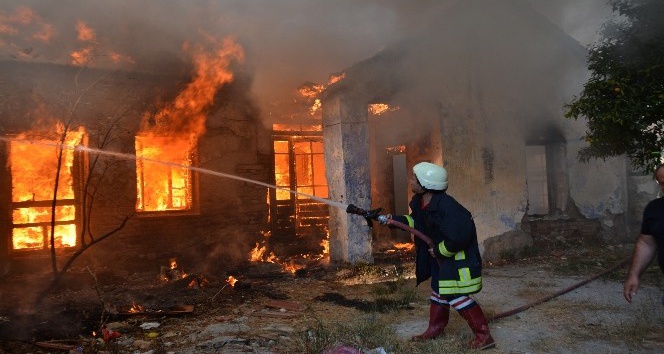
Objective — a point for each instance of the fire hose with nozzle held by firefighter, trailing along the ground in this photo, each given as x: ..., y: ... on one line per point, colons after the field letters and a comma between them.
x: 374, y: 214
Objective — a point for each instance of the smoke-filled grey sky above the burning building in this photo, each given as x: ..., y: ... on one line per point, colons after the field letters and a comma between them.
x: 287, y: 42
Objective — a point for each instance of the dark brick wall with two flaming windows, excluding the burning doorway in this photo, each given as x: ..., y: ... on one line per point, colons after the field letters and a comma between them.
x: 148, y: 180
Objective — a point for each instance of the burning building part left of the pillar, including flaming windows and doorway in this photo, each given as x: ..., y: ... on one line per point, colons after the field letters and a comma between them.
x: 171, y: 163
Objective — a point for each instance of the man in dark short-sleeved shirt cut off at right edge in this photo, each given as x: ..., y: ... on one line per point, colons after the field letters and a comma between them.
x: 650, y: 242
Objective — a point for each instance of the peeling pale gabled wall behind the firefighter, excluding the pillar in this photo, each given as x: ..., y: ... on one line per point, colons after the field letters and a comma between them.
x: 492, y: 79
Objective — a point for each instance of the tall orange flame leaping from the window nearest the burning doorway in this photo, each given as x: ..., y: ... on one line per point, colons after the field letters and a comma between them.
x: 172, y: 133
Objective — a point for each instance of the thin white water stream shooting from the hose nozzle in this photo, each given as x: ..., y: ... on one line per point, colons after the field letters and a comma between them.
x: 192, y: 168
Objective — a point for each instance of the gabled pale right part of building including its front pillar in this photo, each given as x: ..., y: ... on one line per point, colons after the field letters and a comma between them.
x: 481, y: 90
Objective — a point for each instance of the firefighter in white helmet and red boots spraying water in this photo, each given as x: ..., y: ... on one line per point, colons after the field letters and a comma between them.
x: 454, y: 264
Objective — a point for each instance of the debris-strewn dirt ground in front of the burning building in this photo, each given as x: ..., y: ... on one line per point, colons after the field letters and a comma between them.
x: 269, y: 310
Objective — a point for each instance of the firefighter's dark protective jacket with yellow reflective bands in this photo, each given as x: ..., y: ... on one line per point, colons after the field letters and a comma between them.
x: 452, y: 228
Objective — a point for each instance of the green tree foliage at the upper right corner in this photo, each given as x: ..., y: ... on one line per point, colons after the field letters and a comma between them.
x: 623, y: 100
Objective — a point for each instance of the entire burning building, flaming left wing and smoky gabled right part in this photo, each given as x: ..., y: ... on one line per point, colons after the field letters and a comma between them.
x: 165, y: 157
